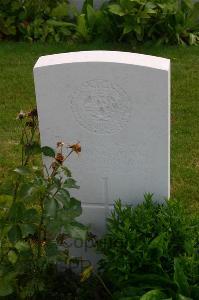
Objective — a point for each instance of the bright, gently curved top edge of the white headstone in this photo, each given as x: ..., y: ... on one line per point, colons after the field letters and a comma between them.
x: 106, y: 57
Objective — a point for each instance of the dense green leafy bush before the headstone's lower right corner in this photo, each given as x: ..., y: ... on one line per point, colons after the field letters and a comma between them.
x: 151, y: 252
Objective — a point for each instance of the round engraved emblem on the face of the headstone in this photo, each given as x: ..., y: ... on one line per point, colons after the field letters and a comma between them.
x: 101, y: 106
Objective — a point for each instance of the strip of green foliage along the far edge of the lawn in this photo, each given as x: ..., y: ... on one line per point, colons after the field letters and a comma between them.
x: 173, y: 22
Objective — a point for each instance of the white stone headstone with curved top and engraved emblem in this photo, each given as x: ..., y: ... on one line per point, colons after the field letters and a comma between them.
x: 117, y: 104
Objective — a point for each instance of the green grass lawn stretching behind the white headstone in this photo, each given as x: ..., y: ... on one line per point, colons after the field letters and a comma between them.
x: 17, y: 92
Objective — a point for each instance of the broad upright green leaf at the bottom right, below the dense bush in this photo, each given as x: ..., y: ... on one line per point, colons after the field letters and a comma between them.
x: 180, y: 278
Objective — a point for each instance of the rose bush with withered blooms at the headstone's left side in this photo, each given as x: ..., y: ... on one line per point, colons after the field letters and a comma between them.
x: 37, y: 220
